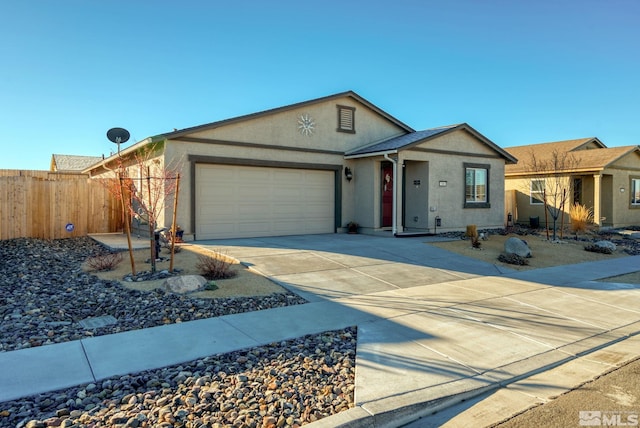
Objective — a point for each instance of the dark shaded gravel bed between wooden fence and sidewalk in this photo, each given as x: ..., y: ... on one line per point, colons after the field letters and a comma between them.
x: 44, y: 294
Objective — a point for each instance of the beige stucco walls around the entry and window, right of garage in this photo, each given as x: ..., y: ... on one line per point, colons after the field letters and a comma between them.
x: 443, y: 165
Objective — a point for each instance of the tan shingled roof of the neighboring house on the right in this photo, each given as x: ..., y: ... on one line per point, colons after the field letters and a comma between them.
x: 586, y: 159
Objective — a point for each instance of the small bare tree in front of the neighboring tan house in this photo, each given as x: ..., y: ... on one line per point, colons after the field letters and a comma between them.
x: 552, y: 173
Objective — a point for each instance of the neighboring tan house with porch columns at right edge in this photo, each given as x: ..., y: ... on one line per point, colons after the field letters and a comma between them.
x: 607, y: 180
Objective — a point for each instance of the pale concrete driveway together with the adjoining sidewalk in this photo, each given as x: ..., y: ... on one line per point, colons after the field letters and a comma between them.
x: 434, y: 327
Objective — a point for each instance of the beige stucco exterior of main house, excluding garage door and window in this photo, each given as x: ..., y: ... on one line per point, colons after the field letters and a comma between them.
x: 428, y: 166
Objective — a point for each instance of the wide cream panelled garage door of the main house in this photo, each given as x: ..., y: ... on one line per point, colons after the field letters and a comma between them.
x: 241, y: 201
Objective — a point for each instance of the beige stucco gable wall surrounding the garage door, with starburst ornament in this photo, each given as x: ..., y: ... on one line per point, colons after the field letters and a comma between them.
x: 276, y: 138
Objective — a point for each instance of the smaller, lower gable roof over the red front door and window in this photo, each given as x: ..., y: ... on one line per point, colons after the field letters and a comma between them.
x: 407, y: 141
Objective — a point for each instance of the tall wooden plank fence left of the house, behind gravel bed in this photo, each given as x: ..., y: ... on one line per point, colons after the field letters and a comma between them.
x: 53, y: 205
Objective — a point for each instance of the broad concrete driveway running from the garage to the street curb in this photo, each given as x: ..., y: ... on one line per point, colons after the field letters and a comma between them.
x: 435, y: 328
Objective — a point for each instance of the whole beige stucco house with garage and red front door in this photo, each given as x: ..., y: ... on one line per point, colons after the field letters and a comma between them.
x: 315, y: 166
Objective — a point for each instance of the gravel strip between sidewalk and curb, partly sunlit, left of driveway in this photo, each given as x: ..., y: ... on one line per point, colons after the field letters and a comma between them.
x: 284, y: 384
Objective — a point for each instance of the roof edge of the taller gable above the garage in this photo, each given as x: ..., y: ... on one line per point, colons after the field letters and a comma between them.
x: 213, y: 125
